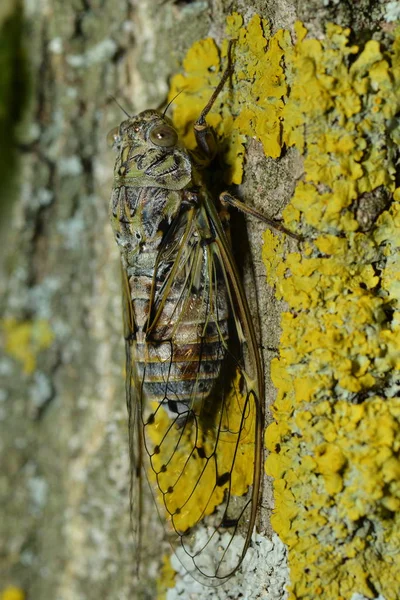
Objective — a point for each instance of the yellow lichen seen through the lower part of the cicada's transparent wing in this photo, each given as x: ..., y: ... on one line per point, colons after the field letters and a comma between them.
x: 190, y: 463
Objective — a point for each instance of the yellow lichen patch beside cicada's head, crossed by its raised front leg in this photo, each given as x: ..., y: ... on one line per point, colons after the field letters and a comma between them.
x: 251, y: 106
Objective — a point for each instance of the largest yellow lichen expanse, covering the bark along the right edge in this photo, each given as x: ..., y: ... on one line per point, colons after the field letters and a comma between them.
x: 337, y: 491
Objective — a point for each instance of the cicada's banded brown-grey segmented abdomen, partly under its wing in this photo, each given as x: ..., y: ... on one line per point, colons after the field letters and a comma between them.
x: 180, y: 359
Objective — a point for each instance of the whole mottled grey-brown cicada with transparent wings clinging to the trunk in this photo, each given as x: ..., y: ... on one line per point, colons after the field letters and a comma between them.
x: 194, y: 383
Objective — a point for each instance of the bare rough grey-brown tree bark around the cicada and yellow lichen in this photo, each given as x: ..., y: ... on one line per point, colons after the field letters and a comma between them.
x: 65, y: 525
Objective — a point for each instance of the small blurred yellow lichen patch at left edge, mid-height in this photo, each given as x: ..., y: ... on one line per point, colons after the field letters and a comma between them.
x: 24, y: 340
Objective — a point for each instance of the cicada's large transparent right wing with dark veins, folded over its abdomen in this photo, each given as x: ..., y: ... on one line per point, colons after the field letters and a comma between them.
x: 198, y: 422
